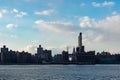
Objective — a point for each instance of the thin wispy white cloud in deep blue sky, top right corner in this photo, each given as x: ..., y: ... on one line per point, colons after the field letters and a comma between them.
x: 104, y: 4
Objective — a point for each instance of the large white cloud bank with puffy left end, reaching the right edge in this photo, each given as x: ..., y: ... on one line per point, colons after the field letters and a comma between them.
x: 108, y: 24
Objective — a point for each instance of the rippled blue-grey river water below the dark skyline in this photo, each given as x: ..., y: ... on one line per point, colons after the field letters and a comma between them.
x: 59, y: 72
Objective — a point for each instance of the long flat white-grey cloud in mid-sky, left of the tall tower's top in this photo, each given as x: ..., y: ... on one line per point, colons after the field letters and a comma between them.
x: 56, y: 26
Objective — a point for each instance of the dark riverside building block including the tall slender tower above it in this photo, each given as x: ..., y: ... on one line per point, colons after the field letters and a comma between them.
x: 82, y: 57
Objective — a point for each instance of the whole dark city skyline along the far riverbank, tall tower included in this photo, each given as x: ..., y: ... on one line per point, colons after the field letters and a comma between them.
x: 44, y: 56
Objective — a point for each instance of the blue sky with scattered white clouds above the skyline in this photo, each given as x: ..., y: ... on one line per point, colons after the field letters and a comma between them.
x: 56, y: 24
